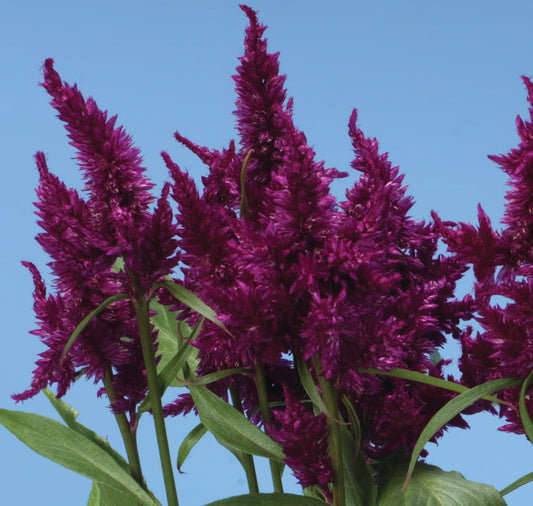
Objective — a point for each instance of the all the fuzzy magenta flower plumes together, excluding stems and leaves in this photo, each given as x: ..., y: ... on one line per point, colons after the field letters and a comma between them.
x: 342, y: 286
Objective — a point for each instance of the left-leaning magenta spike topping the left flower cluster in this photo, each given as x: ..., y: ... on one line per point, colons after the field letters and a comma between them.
x: 119, y: 192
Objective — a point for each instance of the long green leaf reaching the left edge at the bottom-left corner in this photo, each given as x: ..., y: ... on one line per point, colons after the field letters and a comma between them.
x: 74, y: 451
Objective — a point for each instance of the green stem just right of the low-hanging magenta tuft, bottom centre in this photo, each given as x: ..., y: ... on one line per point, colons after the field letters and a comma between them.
x: 329, y: 393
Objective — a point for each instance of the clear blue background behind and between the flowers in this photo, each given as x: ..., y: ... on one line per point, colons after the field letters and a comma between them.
x: 438, y: 83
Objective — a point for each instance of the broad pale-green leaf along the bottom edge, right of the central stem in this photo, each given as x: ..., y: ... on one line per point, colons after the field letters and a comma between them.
x: 431, y: 486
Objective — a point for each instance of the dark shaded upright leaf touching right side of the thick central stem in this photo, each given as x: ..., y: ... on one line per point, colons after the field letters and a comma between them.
x: 359, y: 485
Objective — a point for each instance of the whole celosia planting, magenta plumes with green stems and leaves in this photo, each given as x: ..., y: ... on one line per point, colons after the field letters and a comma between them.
x: 306, y: 330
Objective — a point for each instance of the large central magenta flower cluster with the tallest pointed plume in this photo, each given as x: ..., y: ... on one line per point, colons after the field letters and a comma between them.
x: 291, y: 272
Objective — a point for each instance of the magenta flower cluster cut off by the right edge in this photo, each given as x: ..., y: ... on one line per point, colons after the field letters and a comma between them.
x: 503, y: 266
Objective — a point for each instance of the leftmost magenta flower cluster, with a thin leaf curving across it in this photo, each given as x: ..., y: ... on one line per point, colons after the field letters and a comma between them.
x: 85, y: 237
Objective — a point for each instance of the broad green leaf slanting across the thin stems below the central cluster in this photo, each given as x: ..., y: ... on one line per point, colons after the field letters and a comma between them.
x: 231, y: 428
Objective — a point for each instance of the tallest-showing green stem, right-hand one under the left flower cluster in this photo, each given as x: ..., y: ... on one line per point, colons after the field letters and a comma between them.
x: 145, y: 332
